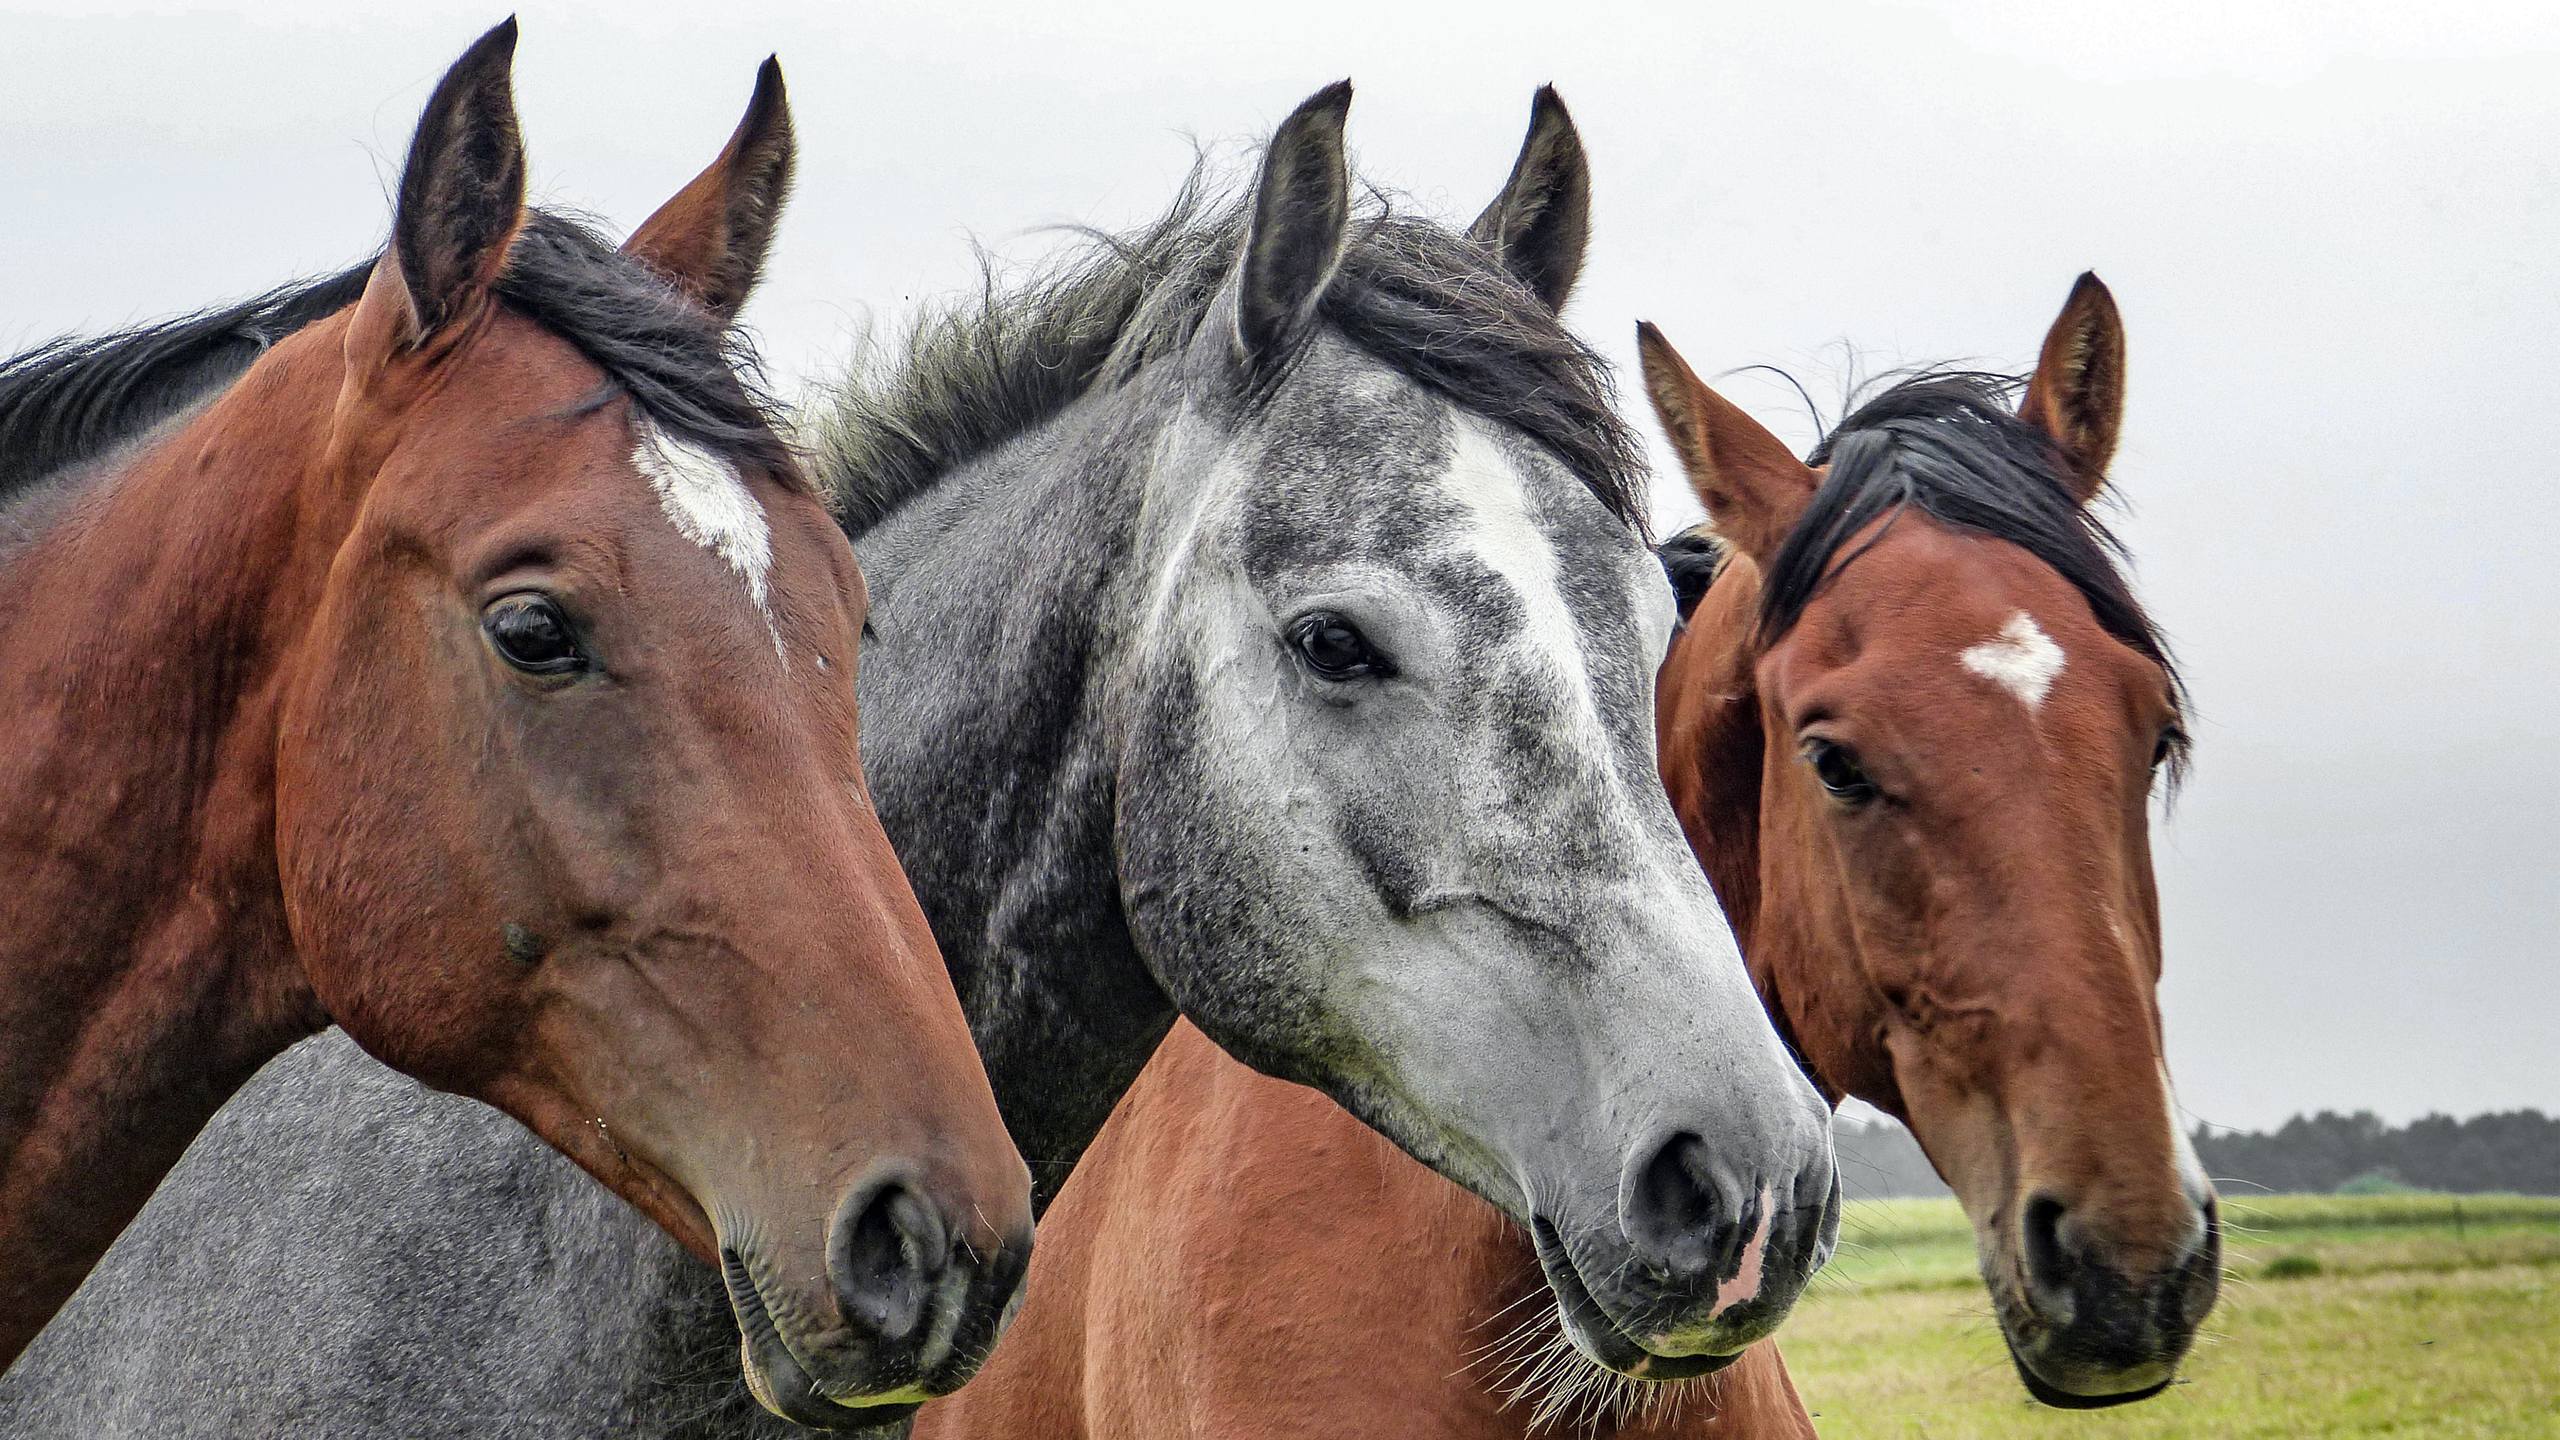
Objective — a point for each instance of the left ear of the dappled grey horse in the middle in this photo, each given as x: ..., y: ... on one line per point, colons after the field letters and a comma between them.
x: 1302, y: 219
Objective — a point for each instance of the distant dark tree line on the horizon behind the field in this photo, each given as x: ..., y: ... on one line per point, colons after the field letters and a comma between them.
x: 2505, y: 1152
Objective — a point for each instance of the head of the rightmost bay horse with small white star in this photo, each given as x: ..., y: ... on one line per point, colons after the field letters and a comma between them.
x: 1960, y: 716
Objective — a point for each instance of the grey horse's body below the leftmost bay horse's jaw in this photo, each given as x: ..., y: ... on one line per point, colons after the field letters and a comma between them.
x: 347, y: 1252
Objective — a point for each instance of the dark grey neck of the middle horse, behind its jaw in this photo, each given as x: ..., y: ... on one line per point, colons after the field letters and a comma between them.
x: 1002, y: 601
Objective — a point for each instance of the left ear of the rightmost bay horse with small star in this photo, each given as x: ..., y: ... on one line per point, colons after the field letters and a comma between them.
x: 1747, y: 478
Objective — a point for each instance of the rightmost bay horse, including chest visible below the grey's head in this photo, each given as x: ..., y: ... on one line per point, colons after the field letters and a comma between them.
x: 1914, y: 732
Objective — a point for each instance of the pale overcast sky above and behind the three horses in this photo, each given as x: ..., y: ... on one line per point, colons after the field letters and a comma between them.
x: 2331, y: 227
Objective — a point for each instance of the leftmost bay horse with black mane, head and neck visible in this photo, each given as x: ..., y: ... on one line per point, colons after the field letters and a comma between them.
x: 475, y: 670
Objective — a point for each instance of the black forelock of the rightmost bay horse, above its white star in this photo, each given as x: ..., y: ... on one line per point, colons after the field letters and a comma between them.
x: 1955, y: 447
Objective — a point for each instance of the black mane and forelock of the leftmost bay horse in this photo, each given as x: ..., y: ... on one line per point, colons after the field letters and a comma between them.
x: 78, y: 398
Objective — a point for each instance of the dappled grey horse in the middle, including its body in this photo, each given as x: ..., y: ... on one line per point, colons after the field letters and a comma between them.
x: 1263, y: 632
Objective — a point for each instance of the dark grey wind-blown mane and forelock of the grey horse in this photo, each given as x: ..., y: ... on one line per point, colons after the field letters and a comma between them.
x: 1417, y: 296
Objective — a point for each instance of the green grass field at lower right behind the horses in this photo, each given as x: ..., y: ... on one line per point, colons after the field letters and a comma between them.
x: 2341, y: 1316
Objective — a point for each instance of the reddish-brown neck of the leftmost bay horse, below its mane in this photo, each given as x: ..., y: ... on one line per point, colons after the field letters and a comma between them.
x: 145, y: 954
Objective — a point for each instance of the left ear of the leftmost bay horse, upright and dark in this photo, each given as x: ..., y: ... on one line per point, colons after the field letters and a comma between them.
x: 462, y: 196
